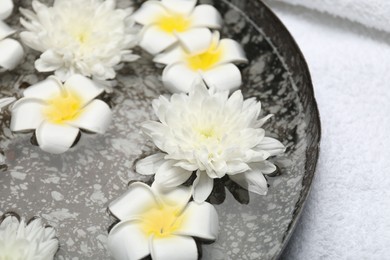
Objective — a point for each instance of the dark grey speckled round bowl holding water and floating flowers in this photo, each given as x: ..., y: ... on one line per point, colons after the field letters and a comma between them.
x: 72, y: 191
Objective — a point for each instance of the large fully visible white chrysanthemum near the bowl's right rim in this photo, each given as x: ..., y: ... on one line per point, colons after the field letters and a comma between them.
x: 212, y: 134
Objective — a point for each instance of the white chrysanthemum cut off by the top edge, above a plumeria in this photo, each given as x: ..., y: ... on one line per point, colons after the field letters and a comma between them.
x: 88, y: 37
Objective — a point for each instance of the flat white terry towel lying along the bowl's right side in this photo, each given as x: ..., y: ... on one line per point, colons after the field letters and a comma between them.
x: 347, y: 215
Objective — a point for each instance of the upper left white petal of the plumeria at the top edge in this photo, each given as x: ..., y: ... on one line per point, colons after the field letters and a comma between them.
x: 149, y: 12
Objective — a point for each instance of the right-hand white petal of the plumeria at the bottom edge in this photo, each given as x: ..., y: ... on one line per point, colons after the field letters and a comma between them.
x: 201, y: 220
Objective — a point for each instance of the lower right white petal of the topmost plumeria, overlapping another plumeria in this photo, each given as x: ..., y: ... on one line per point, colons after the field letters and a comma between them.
x: 196, y: 40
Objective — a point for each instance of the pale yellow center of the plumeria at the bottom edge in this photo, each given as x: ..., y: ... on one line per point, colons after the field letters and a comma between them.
x: 162, y: 222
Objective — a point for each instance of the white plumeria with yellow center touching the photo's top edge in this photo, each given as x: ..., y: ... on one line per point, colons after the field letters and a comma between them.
x: 167, y: 21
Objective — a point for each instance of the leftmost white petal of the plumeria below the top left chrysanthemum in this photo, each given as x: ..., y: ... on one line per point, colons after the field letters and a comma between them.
x: 26, y: 114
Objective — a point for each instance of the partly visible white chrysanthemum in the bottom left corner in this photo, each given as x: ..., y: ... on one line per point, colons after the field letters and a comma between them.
x: 19, y: 241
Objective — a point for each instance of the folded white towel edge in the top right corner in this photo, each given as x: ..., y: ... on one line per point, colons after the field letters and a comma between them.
x: 371, y: 13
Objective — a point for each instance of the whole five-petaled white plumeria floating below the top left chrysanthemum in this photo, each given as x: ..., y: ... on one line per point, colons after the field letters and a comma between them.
x: 57, y: 111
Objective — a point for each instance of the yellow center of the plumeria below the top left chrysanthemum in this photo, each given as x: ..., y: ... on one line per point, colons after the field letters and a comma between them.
x: 62, y: 108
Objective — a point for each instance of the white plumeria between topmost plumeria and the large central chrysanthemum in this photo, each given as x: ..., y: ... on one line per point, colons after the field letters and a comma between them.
x: 214, y: 65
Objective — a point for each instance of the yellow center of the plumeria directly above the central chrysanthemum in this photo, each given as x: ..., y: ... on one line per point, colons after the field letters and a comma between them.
x: 207, y: 59
